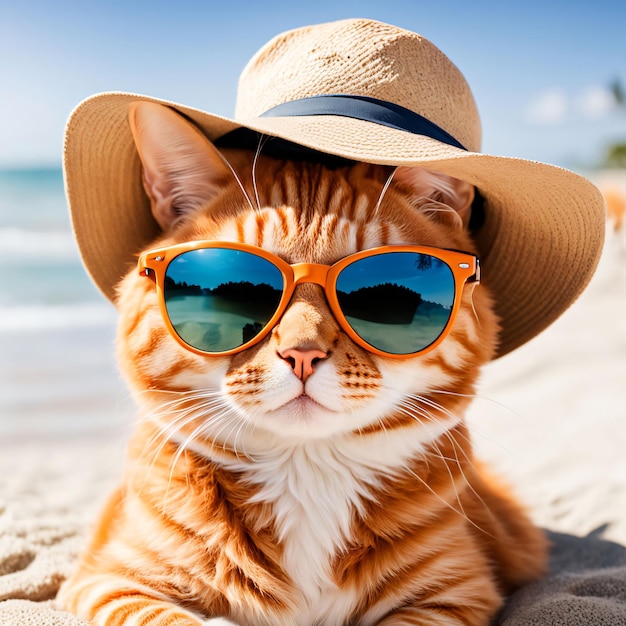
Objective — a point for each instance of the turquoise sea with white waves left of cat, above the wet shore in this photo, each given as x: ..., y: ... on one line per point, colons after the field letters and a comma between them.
x: 43, y: 282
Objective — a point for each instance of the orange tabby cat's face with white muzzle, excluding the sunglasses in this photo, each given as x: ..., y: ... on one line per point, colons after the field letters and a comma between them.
x: 301, y: 213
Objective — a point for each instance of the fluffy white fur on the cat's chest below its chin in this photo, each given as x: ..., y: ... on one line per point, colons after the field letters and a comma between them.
x: 315, y: 488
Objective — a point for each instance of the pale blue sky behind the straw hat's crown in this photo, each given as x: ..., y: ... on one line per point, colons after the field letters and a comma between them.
x: 539, y: 70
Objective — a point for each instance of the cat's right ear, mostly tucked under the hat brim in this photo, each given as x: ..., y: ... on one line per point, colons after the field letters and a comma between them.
x: 456, y: 194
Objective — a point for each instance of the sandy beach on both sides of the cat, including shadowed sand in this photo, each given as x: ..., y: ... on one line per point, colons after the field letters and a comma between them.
x: 549, y: 417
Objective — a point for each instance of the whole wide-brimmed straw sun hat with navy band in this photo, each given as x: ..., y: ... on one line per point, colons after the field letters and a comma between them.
x: 365, y: 91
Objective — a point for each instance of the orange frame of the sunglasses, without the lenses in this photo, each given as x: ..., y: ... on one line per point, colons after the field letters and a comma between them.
x: 465, y: 268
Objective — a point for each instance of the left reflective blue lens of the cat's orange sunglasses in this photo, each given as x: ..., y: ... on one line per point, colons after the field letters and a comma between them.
x: 218, y: 299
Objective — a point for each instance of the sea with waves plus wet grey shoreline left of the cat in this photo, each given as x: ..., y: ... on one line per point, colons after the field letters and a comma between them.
x: 57, y: 368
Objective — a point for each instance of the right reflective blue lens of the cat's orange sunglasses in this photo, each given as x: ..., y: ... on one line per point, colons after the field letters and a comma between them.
x: 398, y: 302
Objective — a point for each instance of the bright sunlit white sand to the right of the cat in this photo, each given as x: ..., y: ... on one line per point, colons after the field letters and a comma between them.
x: 560, y: 431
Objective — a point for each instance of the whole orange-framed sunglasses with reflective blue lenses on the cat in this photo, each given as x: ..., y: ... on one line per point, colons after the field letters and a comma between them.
x: 219, y: 298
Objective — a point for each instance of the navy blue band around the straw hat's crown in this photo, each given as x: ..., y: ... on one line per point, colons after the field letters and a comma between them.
x: 366, y: 109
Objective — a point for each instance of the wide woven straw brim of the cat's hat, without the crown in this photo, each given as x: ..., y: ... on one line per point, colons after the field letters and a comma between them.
x: 539, y: 245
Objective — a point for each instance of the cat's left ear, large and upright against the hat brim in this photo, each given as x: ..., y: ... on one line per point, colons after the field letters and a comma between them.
x: 182, y: 169
